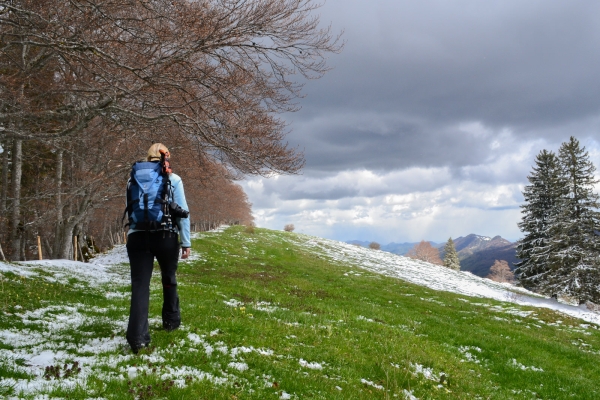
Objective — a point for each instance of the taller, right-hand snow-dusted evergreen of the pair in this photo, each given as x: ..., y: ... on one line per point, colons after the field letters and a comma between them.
x: 572, y: 252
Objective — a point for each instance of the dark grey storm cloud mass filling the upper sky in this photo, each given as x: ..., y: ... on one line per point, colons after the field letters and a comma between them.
x: 413, y: 71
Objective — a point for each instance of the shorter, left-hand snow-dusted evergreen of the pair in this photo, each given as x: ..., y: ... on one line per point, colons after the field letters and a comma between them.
x: 542, y: 199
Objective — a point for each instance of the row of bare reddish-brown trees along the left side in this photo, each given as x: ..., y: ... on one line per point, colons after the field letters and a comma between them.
x: 87, y: 86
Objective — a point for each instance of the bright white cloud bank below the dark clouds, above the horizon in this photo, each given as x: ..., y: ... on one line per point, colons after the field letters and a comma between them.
x: 405, y: 204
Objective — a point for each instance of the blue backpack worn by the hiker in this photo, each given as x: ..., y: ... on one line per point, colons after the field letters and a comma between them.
x: 148, y: 197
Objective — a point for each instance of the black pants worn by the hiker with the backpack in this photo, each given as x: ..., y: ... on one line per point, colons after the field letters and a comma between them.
x: 142, y: 247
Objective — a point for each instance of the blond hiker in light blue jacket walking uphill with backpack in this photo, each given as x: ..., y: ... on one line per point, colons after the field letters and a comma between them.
x: 157, y: 212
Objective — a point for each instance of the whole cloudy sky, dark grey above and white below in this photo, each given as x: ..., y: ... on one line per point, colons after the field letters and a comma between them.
x: 428, y: 125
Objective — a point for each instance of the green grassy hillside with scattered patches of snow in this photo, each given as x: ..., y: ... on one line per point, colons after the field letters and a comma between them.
x: 274, y: 315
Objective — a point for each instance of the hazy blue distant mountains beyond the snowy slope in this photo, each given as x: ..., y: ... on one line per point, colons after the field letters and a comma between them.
x: 476, y: 253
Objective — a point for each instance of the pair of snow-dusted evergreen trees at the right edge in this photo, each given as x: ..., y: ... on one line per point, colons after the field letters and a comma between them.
x: 560, y: 250
